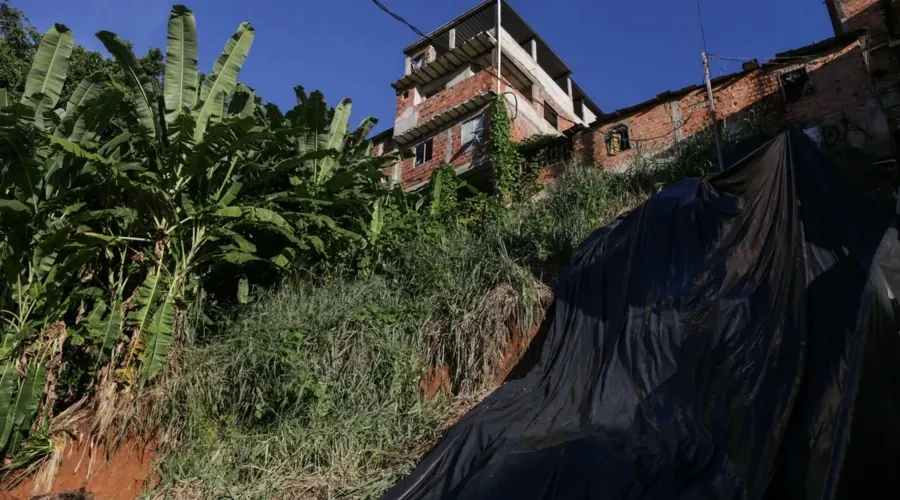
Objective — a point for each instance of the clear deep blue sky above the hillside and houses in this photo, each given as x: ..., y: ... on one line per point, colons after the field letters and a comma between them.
x: 621, y: 52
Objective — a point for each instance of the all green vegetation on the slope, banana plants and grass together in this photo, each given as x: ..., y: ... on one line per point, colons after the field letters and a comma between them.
x: 181, y: 258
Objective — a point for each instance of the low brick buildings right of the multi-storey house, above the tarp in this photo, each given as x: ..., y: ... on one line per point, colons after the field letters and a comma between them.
x: 842, y: 91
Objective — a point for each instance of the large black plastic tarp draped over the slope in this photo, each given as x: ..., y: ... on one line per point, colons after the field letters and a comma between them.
x: 735, y: 336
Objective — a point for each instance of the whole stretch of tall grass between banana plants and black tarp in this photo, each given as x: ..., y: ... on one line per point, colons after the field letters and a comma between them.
x: 314, y: 391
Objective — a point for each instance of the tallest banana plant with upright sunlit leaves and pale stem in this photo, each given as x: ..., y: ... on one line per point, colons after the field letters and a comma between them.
x: 185, y: 149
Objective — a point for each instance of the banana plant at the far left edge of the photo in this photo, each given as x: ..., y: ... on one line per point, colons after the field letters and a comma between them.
x: 45, y: 224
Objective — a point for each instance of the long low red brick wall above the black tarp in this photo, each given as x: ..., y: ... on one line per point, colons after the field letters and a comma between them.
x: 840, y: 79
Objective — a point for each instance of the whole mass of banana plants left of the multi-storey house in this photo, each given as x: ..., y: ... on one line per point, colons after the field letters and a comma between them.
x: 110, y: 231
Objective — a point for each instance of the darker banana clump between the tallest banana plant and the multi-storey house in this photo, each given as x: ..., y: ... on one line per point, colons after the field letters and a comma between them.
x: 334, y: 192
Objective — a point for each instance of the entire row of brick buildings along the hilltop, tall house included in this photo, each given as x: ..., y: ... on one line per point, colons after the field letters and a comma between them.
x: 843, y: 91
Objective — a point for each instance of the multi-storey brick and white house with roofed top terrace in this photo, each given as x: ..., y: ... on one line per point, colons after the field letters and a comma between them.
x: 449, y: 81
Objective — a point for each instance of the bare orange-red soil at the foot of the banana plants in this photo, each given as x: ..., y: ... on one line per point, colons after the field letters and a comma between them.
x: 121, y: 477
